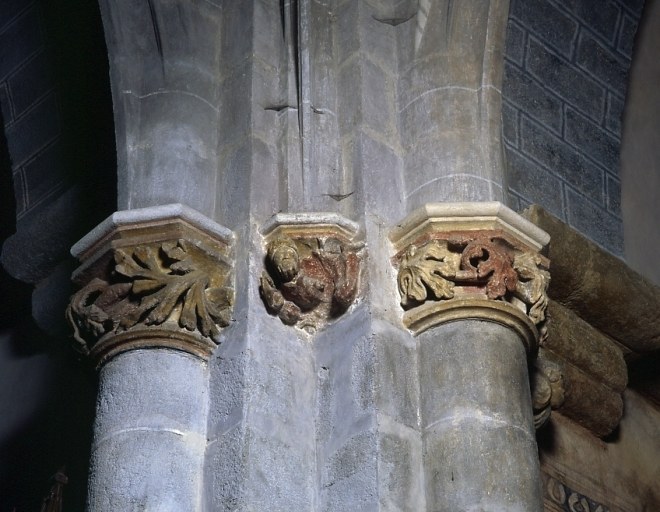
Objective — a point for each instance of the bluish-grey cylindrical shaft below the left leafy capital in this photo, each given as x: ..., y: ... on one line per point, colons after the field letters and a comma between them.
x: 150, y: 433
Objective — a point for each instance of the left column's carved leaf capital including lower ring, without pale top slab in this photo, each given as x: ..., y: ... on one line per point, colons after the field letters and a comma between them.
x: 174, y: 292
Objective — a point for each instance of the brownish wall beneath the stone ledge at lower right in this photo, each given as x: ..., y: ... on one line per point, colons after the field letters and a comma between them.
x: 619, y: 474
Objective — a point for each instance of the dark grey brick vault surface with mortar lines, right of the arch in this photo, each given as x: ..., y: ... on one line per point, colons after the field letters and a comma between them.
x: 565, y: 82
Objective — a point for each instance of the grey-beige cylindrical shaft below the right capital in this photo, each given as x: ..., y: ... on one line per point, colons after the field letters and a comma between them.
x: 479, y: 444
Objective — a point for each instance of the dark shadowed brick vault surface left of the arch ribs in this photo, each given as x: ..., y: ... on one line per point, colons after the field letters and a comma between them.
x: 57, y: 120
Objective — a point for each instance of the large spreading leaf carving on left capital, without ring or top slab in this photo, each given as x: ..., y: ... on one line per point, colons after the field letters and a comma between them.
x: 151, y: 285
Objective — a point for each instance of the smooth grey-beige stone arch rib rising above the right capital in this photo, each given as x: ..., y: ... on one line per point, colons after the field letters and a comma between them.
x: 450, y: 68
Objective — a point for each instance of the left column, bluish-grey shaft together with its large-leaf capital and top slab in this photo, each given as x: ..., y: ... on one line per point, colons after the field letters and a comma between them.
x: 156, y: 290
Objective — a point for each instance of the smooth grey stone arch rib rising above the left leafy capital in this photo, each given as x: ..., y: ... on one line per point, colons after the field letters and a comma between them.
x: 165, y: 86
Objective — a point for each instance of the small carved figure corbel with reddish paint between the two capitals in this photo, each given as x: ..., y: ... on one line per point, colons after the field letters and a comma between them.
x: 312, y: 268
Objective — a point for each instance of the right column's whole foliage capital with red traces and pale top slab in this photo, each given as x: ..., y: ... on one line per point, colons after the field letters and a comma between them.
x: 472, y: 260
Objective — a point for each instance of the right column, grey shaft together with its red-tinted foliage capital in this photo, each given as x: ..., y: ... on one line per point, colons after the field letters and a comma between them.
x: 473, y: 283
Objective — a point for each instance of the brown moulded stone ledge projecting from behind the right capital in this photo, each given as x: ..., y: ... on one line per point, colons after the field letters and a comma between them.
x: 604, y: 317
